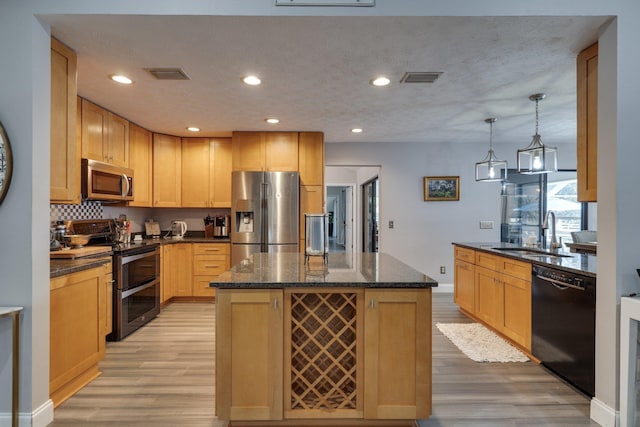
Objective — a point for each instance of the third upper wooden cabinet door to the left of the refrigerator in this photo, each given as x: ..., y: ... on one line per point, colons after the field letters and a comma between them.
x: 167, y: 171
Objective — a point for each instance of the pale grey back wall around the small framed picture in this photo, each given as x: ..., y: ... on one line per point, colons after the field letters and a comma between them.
x: 423, y: 231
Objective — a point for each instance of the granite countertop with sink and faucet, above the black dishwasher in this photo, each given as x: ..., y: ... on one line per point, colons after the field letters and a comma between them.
x: 568, y: 261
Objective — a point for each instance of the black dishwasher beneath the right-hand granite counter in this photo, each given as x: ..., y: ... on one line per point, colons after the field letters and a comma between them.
x: 563, y: 321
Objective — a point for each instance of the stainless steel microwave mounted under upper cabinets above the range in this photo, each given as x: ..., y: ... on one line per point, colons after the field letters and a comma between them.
x: 103, y: 181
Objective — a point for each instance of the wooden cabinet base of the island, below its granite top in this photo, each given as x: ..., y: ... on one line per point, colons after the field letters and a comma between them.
x: 323, y: 353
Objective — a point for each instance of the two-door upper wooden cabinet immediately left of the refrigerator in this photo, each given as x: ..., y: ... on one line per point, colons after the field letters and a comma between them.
x: 206, y: 172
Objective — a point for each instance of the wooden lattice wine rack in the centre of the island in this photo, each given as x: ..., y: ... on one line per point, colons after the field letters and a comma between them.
x: 324, y: 348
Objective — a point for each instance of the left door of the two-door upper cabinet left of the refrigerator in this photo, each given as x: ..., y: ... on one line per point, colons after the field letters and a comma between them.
x: 195, y: 172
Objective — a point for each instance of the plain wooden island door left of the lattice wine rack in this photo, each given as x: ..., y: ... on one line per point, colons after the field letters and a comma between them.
x: 249, y: 337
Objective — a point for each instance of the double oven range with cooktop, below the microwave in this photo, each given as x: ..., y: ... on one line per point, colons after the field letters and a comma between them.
x: 136, y: 276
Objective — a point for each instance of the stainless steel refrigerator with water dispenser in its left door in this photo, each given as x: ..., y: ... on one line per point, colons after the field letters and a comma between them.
x: 264, y: 213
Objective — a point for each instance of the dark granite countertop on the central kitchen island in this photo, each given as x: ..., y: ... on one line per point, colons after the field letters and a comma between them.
x: 283, y: 270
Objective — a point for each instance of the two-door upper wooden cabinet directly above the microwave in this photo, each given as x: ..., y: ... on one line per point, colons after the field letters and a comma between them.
x: 105, y: 136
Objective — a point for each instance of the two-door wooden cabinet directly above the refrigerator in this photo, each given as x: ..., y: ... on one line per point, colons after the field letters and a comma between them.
x: 268, y: 151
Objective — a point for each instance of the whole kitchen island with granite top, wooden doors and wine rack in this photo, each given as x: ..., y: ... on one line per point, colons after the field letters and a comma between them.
x: 309, y: 344
